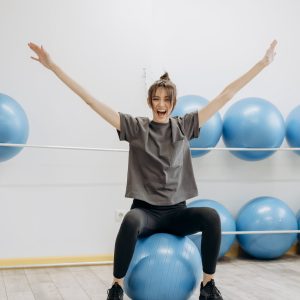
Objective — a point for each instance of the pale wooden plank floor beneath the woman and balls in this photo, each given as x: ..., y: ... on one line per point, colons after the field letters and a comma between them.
x: 237, y: 279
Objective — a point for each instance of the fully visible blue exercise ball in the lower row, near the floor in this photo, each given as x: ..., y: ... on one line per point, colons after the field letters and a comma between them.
x: 266, y: 213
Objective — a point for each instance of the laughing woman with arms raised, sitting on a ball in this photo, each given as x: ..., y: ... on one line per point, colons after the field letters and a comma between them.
x: 159, y: 165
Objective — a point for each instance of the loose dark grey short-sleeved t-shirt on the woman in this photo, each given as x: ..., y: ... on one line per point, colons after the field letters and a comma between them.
x: 160, y: 168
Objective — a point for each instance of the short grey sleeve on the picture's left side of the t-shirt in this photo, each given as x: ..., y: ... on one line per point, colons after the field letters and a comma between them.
x: 129, y: 127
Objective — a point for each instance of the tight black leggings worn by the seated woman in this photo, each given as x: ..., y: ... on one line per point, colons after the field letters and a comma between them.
x: 145, y: 219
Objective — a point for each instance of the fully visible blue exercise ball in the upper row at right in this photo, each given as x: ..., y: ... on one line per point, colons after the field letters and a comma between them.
x: 253, y: 123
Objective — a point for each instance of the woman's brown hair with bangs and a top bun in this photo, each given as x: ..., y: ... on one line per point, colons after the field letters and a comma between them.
x: 166, y: 83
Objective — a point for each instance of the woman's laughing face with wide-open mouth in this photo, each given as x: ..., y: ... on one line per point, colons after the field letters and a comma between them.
x: 161, y: 105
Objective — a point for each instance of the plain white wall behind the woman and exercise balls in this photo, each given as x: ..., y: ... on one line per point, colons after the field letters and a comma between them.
x: 61, y: 202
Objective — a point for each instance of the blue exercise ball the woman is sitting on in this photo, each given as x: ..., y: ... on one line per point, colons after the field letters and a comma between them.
x: 163, y: 266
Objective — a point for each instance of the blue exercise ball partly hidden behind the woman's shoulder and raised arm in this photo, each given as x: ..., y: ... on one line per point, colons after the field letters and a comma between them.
x: 210, y: 132
